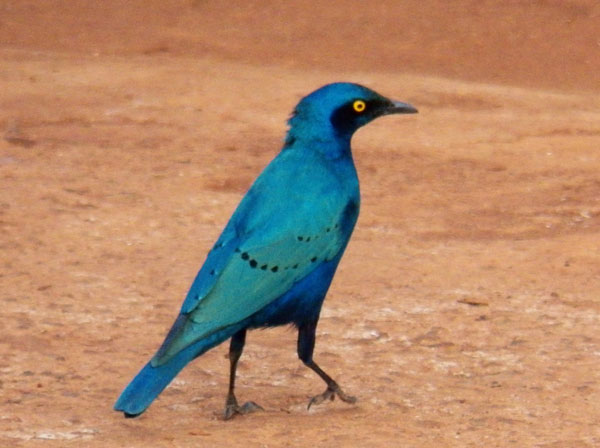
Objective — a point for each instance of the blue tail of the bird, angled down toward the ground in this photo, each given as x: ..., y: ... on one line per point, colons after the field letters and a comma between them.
x: 152, y: 380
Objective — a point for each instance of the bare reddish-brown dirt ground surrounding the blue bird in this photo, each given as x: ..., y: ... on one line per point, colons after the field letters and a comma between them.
x: 466, y: 311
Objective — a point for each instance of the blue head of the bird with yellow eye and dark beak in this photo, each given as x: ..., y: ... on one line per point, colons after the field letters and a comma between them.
x: 335, y: 111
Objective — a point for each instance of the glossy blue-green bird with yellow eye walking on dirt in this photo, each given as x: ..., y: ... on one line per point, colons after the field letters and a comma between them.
x: 275, y: 259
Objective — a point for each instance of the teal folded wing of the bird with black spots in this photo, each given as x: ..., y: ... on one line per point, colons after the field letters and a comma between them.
x: 288, y: 223
